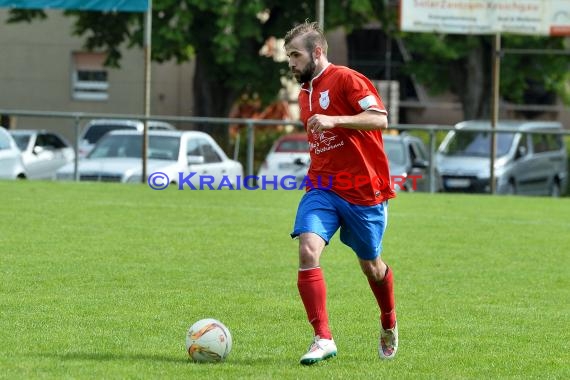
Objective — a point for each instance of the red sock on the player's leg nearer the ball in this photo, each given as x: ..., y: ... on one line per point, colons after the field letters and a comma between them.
x: 312, y: 288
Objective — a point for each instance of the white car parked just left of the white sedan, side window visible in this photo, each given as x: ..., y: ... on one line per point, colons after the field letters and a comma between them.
x: 42, y: 152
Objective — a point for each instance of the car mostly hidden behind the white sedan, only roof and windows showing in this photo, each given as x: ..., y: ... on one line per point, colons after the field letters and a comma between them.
x: 97, y: 128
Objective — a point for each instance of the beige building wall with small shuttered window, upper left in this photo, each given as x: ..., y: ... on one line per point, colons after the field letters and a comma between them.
x: 44, y: 68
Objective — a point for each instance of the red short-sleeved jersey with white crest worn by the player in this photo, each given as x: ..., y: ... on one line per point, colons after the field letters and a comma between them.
x: 350, y: 162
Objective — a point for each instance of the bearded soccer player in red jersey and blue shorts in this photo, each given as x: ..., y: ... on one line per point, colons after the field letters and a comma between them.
x: 348, y: 184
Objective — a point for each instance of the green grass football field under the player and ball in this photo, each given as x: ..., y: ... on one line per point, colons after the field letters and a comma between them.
x: 101, y: 281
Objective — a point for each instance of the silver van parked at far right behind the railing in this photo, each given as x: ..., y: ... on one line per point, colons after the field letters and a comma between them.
x: 528, y: 160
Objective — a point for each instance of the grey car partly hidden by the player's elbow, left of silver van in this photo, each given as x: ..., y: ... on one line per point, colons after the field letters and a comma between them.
x: 408, y: 159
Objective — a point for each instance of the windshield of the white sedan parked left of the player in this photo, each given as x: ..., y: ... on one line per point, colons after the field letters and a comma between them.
x: 130, y: 146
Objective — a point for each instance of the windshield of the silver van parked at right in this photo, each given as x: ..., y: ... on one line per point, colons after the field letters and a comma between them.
x: 477, y: 144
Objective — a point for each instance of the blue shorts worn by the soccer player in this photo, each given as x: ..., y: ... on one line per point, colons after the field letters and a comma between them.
x: 361, y: 227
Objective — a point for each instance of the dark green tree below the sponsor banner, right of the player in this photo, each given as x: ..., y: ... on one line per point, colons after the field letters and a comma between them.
x: 463, y: 65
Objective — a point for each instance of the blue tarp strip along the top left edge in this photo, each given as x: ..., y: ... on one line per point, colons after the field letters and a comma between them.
x: 81, y: 5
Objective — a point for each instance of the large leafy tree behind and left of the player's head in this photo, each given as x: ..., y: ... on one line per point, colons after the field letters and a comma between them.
x: 224, y: 37
